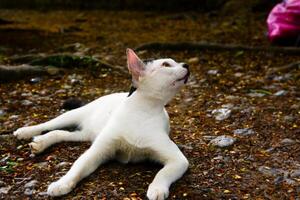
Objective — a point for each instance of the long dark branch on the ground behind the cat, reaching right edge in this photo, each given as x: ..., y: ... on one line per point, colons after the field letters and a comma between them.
x: 192, y: 46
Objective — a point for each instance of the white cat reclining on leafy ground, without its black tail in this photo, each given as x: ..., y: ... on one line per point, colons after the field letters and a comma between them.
x: 128, y: 129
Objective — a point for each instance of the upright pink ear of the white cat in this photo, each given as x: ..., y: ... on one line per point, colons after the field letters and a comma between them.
x: 135, y: 66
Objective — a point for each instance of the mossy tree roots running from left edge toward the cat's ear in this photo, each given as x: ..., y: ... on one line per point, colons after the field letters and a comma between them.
x: 41, y: 64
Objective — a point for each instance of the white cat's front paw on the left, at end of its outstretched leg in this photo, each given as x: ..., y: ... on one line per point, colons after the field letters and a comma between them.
x: 59, y: 188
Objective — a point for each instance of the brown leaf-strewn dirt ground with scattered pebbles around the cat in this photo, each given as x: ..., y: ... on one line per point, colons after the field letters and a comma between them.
x: 265, y: 164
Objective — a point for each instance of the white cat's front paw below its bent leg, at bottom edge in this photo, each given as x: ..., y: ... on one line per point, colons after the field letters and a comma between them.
x: 157, y: 192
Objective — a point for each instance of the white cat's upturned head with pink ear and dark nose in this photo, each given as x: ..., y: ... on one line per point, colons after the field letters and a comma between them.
x: 160, y: 78
